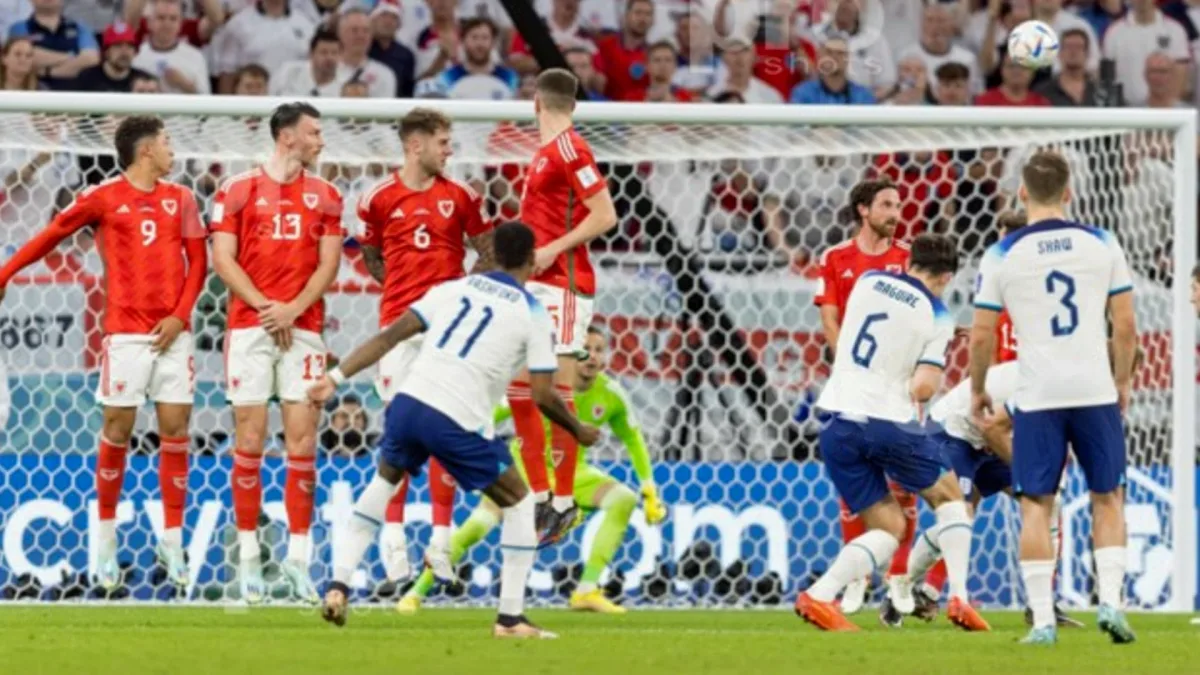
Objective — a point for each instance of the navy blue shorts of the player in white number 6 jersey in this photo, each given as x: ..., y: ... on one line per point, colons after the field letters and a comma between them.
x: 861, y: 457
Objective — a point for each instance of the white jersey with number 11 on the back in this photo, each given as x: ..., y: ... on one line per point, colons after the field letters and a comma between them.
x: 479, y: 333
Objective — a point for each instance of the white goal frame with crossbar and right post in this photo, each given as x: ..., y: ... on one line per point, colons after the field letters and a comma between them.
x: 1183, y: 124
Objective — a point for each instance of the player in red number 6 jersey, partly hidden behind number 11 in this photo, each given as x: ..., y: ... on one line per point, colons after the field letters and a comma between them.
x: 416, y: 224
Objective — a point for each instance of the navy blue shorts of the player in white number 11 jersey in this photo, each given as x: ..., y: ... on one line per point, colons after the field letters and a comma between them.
x: 415, y: 432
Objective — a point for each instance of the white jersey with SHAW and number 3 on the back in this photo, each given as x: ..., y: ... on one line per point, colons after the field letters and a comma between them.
x: 1055, y: 279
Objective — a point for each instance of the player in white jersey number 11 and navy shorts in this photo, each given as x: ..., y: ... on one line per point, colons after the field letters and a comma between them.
x: 482, y: 330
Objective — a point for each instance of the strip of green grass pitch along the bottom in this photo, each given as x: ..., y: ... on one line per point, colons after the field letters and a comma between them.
x: 230, y: 642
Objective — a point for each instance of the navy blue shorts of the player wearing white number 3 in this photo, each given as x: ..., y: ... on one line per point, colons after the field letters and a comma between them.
x: 1095, y: 434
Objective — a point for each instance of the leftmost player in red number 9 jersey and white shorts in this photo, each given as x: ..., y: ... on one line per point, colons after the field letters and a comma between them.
x: 154, y: 250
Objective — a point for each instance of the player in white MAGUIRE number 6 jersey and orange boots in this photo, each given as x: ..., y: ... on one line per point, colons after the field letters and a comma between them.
x: 890, y: 361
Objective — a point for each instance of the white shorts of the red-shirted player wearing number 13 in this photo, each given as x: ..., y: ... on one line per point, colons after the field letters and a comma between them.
x: 256, y: 371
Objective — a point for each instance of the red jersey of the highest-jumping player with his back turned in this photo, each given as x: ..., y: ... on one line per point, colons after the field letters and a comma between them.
x: 560, y: 178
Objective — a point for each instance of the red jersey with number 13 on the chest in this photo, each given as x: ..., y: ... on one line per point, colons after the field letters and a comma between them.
x: 279, y: 230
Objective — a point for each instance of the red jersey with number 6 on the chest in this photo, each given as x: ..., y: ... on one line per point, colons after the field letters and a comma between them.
x: 421, y: 235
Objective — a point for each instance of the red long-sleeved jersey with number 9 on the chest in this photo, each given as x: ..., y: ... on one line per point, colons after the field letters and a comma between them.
x: 153, y: 247
